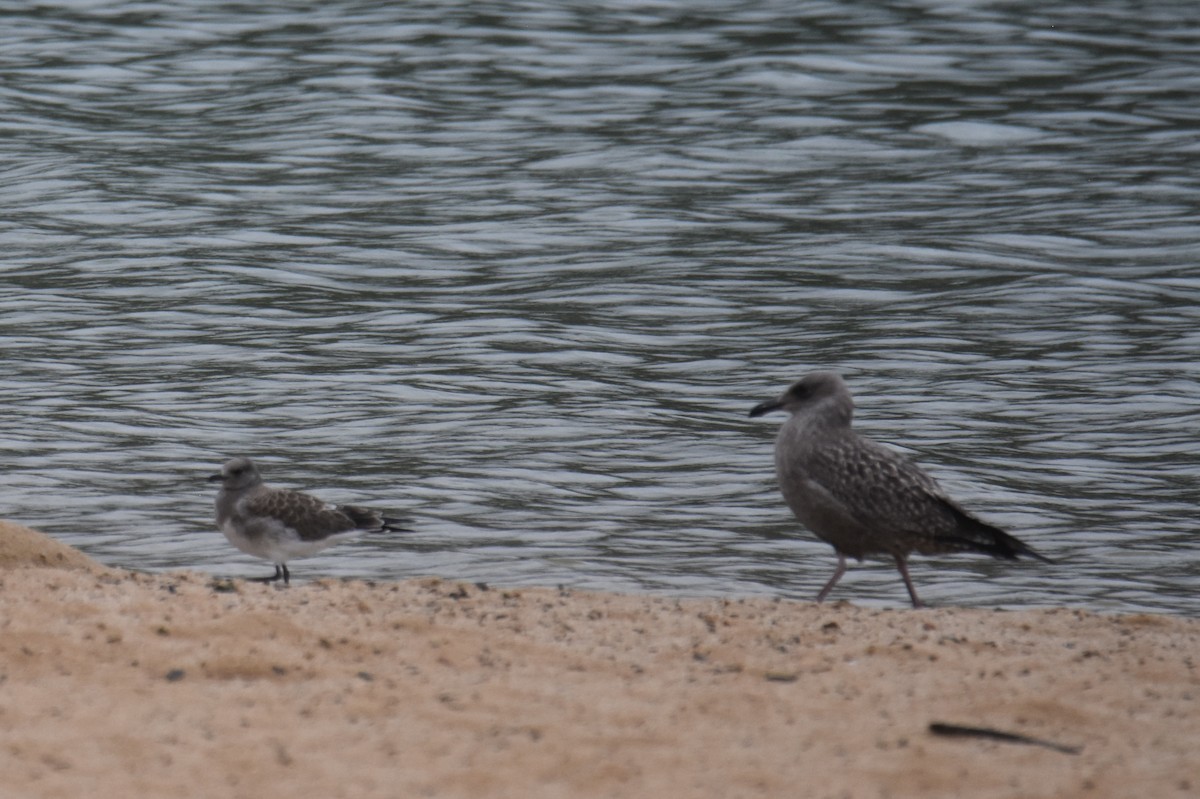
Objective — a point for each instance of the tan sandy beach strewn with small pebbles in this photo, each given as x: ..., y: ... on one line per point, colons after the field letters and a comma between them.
x: 124, y: 684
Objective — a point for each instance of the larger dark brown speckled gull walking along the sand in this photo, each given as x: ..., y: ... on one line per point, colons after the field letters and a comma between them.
x: 863, y: 498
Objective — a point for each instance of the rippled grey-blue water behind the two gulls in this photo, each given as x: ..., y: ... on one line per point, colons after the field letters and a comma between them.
x: 521, y: 269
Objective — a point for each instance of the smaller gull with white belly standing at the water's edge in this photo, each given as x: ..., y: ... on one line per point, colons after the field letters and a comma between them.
x: 279, y: 525
